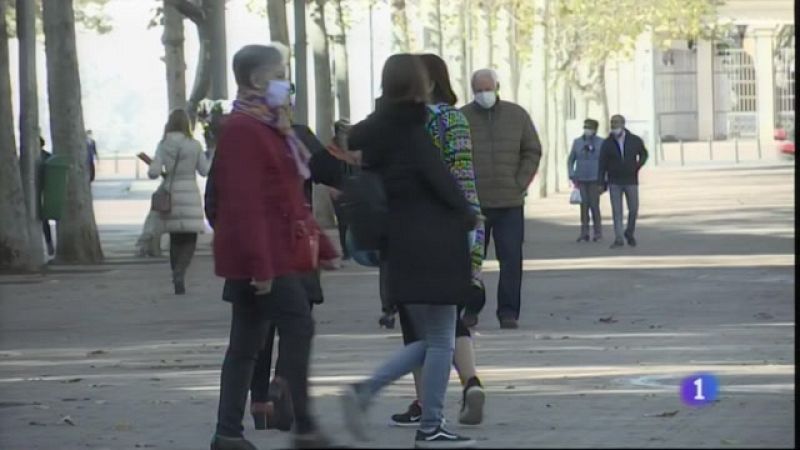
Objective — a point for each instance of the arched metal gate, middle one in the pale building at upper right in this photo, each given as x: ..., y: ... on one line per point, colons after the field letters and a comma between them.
x: 735, y: 94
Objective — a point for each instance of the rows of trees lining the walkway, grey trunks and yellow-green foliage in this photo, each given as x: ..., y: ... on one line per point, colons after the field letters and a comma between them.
x: 580, y: 36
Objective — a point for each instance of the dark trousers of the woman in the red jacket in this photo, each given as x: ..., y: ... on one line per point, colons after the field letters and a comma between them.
x: 287, y: 307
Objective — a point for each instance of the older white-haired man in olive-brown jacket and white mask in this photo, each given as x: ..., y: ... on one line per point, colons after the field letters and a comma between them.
x: 506, y: 153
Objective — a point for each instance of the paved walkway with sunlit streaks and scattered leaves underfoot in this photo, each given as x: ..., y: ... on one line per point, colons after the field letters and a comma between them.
x: 105, y: 357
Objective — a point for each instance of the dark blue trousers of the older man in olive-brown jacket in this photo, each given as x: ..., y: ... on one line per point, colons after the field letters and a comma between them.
x: 507, y: 226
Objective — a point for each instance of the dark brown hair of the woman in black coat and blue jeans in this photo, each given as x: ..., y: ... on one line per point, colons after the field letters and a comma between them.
x: 404, y: 79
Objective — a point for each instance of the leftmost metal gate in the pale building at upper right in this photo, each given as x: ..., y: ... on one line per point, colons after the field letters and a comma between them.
x: 676, y: 94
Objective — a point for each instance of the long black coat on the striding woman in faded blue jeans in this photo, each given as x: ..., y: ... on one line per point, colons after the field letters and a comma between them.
x: 426, y: 249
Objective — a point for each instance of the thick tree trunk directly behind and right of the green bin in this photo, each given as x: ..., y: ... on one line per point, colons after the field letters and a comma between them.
x: 78, y: 240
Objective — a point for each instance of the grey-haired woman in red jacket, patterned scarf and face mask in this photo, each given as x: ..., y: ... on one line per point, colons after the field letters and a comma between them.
x: 264, y: 239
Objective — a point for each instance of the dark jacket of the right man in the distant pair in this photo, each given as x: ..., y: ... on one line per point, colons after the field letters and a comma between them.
x: 613, y: 170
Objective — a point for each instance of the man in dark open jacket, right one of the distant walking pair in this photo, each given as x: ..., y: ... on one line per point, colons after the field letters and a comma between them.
x: 622, y: 156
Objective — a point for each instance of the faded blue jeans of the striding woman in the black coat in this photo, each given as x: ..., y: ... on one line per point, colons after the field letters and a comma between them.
x: 435, y: 326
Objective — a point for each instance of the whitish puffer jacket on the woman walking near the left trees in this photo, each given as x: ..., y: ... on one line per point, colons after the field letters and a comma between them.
x: 186, y: 215
